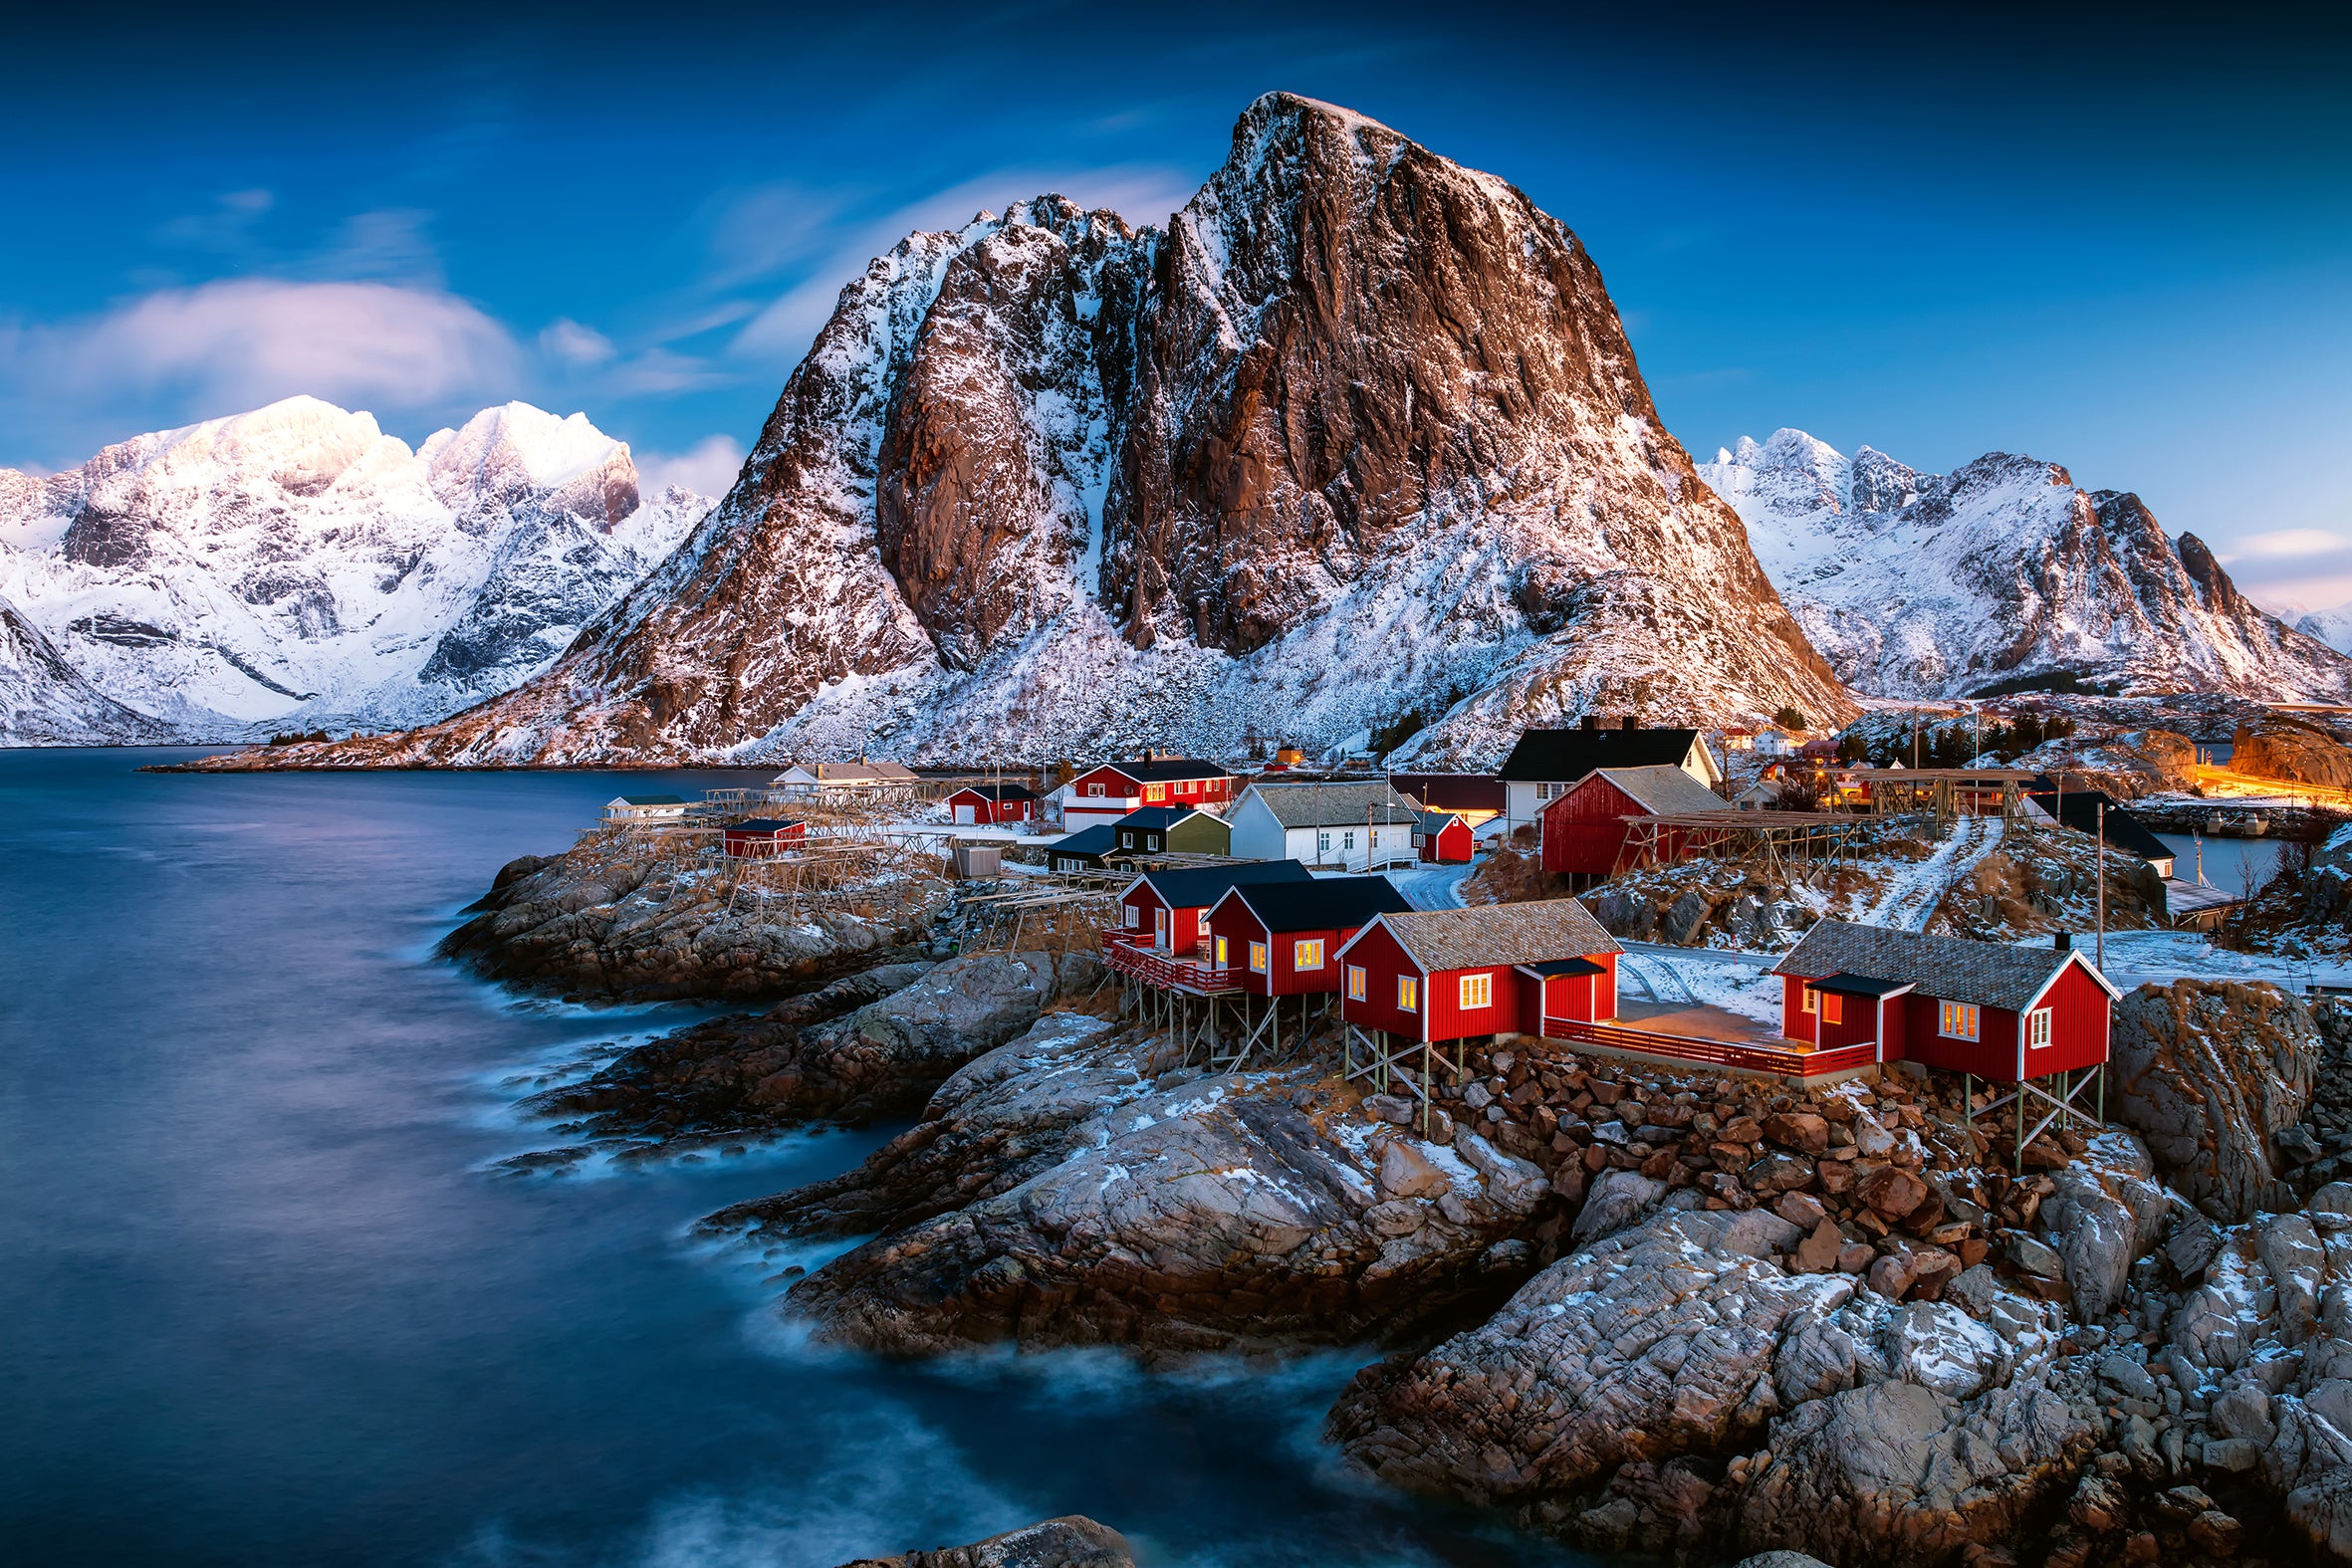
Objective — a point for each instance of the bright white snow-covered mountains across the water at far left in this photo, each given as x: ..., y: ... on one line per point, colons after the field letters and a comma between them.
x: 298, y: 568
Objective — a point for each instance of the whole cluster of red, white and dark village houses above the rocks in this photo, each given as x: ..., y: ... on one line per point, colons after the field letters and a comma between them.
x: 1262, y: 909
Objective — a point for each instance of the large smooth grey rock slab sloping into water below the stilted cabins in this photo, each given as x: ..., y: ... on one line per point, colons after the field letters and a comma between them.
x: 1208, y: 1214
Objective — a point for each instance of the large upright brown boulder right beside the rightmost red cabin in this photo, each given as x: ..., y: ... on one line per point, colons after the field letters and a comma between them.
x: 2210, y: 1076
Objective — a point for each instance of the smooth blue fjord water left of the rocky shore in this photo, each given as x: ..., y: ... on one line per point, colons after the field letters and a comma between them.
x: 262, y: 1299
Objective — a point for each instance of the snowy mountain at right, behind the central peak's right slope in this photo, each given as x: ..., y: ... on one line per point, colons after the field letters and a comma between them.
x: 2003, y: 577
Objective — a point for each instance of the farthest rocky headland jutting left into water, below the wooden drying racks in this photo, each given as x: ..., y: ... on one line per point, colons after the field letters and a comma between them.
x: 627, y: 918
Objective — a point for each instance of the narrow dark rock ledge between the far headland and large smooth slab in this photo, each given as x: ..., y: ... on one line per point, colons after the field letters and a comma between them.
x: 754, y: 1076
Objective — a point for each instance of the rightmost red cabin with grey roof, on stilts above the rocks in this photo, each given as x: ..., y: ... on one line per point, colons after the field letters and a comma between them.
x: 2003, y: 1014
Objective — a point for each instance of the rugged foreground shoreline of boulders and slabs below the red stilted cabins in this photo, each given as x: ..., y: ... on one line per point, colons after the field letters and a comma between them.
x: 1683, y: 1315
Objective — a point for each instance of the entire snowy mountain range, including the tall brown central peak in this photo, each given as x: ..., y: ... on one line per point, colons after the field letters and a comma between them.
x: 1351, y: 453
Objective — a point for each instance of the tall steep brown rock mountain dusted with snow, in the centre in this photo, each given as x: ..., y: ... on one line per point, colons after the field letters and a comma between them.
x: 1356, y: 438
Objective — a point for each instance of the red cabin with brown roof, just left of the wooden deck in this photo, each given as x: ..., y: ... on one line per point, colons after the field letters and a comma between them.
x: 1492, y: 970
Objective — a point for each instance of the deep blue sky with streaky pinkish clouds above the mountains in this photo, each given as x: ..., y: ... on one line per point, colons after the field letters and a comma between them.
x: 2113, y: 241
